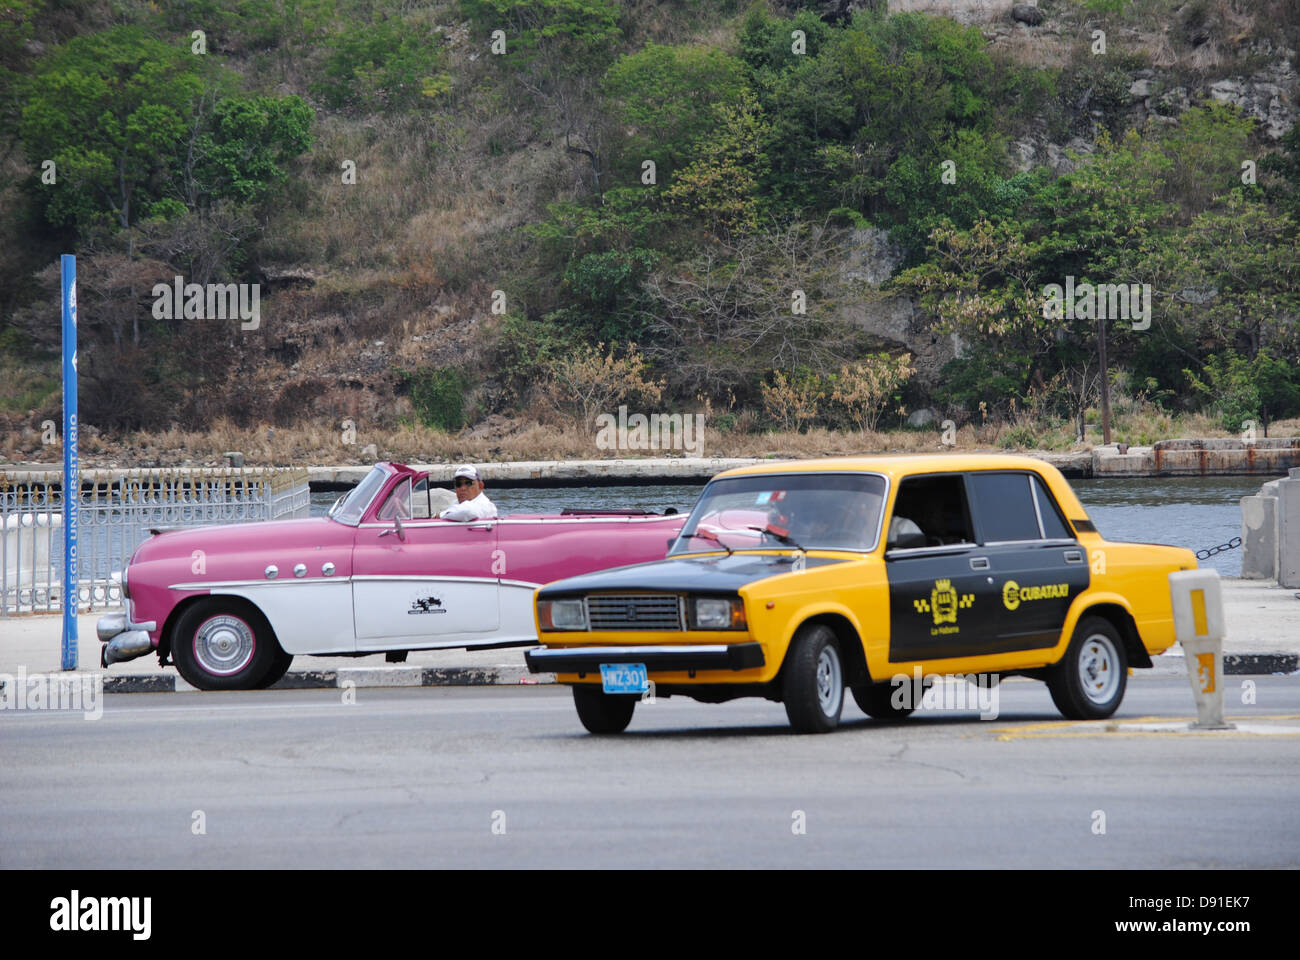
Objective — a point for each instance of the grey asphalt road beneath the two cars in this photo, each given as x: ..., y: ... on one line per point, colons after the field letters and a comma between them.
x: 506, y: 777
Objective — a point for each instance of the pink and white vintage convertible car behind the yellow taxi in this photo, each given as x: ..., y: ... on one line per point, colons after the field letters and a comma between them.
x: 232, y: 606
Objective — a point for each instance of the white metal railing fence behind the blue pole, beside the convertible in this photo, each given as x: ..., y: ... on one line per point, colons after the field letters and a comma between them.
x: 118, y: 509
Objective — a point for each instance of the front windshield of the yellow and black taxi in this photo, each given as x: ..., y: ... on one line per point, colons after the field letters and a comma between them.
x: 838, y: 512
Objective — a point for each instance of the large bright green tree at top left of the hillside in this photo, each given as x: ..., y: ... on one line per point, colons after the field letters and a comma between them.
x: 140, y: 131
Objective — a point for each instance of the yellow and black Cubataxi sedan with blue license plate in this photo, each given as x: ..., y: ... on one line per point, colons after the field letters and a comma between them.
x: 795, y: 581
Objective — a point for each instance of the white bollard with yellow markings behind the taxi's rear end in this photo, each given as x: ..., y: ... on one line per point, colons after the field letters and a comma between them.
x: 1199, y: 626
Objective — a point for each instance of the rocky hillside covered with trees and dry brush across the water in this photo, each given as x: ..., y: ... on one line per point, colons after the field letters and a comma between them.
x: 493, y: 209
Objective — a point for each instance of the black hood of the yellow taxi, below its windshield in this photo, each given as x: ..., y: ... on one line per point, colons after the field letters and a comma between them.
x: 712, y: 574
